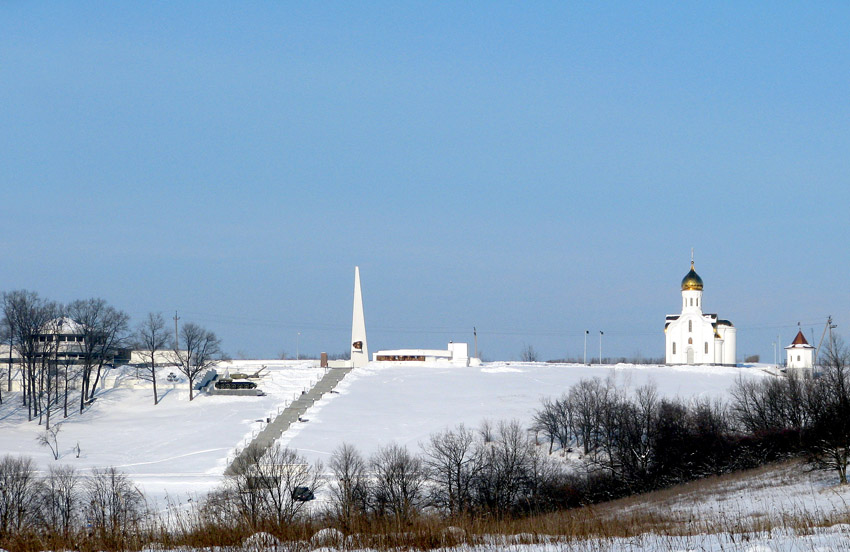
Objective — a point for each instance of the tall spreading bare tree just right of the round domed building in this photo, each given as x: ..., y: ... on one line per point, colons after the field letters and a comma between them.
x: 104, y: 329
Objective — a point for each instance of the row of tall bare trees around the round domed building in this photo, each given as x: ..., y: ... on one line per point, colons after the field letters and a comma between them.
x: 60, y: 350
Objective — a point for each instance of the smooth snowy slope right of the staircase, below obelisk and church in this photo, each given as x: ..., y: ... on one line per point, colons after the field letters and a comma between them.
x: 397, y: 402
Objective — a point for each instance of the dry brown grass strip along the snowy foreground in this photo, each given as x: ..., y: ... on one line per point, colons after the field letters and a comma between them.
x: 658, y: 515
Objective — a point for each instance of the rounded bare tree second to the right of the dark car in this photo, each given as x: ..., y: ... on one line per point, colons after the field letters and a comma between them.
x: 399, y: 482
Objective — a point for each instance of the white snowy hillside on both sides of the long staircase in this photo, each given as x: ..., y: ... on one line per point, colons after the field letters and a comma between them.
x: 177, y: 447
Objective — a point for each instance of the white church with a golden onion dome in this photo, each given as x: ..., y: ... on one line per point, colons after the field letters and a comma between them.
x: 694, y: 337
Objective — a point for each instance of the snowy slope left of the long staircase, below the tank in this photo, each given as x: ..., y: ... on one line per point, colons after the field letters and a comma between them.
x: 174, y: 448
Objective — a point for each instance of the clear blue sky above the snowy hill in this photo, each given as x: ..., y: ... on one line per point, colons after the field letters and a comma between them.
x: 532, y: 169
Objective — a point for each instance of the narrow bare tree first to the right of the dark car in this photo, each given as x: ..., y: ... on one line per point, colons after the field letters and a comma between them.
x: 350, y: 493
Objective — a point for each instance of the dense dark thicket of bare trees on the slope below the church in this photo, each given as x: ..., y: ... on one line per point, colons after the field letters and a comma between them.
x: 639, y: 441
